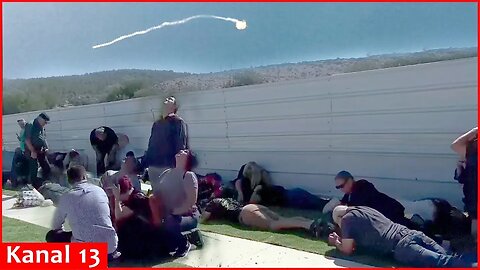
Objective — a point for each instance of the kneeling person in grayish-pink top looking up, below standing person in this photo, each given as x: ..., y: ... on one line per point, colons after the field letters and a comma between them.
x: 178, y: 190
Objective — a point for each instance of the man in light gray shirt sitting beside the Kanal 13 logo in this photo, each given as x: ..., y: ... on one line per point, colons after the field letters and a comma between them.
x: 86, y: 208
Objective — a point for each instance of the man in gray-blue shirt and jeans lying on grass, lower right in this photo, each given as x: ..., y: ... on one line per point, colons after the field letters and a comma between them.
x: 366, y: 228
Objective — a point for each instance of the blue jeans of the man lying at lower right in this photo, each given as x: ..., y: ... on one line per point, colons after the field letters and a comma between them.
x: 418, y: 250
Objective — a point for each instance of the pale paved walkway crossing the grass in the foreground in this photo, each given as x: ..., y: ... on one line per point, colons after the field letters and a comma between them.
x: 219, y: 250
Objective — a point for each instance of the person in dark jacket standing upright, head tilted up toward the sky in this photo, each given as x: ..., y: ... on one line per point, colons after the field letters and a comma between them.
x: 168, y: 136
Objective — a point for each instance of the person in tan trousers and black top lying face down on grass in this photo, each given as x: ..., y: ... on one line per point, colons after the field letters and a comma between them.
x: 257, y: 216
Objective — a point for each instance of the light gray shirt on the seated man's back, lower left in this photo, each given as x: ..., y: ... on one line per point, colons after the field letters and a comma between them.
x: 86, y: 208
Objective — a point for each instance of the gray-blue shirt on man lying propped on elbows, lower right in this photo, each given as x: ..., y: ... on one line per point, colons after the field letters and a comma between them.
x: 370, y: 229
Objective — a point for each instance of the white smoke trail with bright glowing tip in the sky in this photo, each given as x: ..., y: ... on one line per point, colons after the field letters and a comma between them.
x: 240, y: 25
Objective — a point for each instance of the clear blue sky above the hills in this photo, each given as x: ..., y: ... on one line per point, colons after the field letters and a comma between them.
x: 56, y: 39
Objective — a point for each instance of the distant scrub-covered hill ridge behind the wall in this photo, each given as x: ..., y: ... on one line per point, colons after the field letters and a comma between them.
x: 22, y: 95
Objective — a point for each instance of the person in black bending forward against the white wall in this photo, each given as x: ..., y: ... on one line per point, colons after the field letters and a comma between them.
x: 105, y: 143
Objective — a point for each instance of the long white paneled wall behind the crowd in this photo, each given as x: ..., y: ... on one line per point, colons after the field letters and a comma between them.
x: 392, y: 126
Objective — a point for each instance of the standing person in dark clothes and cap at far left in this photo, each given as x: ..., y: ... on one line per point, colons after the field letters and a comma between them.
x: 36, y: 149
